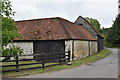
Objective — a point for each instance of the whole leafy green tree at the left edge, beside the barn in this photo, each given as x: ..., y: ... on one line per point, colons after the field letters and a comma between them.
x: 9, y: 30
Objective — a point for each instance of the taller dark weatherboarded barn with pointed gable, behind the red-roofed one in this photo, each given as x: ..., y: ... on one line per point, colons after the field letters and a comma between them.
x: 82, y: 21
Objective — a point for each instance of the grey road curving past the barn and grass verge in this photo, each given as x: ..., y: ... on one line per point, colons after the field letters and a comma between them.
x: 104, y: 68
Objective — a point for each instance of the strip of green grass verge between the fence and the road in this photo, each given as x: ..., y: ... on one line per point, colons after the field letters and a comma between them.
x: 75, y: 63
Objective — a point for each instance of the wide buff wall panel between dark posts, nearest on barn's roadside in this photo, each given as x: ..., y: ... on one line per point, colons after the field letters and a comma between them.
x: 81, y: 49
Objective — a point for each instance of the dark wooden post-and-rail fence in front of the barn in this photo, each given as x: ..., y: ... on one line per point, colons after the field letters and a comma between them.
x: 61, y: 59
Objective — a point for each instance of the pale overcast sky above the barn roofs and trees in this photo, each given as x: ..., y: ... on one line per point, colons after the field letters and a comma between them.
x: 104, y: 11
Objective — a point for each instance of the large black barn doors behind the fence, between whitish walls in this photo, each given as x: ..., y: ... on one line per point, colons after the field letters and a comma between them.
x: 49, y: 47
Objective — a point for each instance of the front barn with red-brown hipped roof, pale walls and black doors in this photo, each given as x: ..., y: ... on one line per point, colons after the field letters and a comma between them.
x: 55, y: 35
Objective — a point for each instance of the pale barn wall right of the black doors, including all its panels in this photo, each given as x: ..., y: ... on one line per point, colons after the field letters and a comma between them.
x: 81, y: 49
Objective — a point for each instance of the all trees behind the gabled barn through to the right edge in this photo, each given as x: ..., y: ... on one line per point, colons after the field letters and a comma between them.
x: 111, y: 35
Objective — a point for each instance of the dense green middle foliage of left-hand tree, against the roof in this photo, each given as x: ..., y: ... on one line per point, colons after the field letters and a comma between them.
x: 9, y: 31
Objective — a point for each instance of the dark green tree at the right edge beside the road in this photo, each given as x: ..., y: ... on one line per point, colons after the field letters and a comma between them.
x: 114, y: 33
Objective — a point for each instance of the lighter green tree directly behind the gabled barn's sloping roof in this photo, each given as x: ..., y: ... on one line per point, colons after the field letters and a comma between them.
x: 95, y: 23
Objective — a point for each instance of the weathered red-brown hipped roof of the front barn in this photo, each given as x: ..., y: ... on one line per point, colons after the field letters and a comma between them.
x: 51, y: 29
